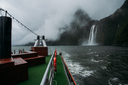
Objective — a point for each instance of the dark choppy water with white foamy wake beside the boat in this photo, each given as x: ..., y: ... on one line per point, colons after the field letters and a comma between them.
x: 96, y: 65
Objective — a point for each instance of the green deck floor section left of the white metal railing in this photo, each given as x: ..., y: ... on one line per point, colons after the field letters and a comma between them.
x: 36, y: 73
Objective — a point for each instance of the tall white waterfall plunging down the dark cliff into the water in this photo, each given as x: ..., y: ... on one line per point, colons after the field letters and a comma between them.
x: 92, y: 36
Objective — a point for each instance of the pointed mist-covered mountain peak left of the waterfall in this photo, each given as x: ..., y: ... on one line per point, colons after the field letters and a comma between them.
x: 78, y: 30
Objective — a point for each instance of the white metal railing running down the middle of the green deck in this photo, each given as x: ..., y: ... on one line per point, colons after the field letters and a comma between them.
x: 50, y: 68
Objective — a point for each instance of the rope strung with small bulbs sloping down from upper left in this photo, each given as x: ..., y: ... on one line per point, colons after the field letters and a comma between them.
x: 17, y: 20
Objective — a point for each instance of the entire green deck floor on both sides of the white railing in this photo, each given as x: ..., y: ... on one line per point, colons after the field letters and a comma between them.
x: 36, y: 73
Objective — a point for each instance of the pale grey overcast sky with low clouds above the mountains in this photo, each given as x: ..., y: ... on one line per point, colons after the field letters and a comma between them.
x: 45, y: 17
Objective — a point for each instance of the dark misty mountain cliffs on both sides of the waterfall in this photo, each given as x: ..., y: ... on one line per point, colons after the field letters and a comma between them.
x: 111, y: 30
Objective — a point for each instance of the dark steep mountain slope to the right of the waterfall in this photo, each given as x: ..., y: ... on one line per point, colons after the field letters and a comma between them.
x: 113, y: 29
